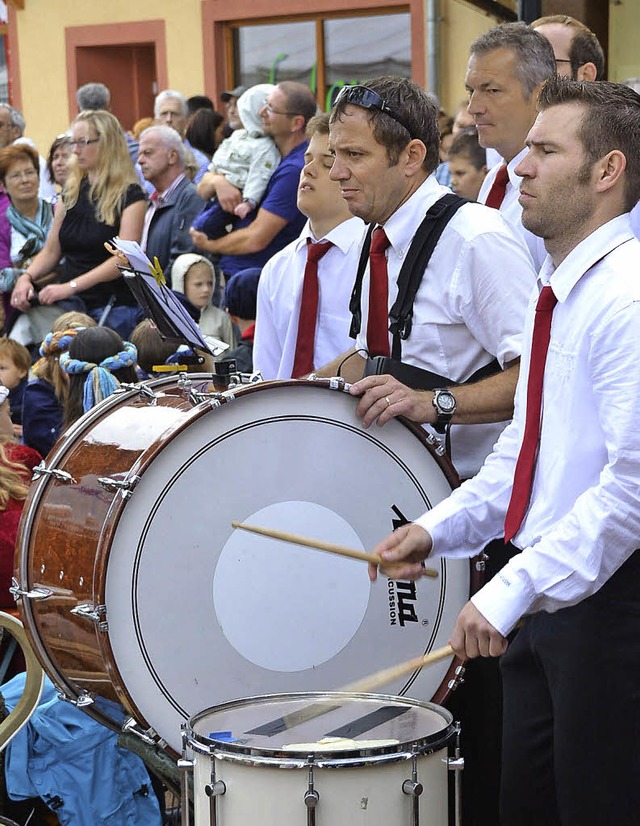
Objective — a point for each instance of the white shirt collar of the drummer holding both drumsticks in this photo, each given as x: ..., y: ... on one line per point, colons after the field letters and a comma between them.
x: 587, y: 253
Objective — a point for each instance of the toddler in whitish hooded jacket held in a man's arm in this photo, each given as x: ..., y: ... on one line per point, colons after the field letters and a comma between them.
x: 247, y: 159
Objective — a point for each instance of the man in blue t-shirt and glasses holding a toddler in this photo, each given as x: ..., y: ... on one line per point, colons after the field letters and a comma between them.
x: 277, y: 221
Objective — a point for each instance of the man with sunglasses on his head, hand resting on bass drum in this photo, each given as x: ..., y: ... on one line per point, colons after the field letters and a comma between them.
x: 468, y: 312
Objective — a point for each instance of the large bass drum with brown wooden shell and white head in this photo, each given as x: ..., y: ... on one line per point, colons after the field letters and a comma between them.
x: 145, y: 606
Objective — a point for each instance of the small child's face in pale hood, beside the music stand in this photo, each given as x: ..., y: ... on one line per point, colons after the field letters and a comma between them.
x: 193, y: 276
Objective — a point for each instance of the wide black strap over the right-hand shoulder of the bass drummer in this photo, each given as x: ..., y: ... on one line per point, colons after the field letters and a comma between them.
x: 412, y: 271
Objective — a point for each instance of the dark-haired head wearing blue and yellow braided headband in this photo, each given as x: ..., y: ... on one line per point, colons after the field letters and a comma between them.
x: 94, y: 358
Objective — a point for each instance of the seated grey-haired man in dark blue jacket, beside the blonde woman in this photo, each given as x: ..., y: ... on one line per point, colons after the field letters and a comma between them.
x: 175, y: 201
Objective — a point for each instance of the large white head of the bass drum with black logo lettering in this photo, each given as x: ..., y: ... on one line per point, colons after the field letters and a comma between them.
x: 199, y: 613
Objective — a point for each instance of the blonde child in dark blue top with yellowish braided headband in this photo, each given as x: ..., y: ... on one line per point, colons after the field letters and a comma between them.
x: 45, y: 395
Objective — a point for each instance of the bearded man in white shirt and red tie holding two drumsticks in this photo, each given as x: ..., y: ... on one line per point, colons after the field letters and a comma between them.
x: 572, y: 674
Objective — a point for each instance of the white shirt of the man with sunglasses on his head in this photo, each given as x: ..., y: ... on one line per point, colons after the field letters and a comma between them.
x: 469, y: 307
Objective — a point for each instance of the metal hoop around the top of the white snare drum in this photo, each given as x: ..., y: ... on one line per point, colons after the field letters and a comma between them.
x: 342, y: 758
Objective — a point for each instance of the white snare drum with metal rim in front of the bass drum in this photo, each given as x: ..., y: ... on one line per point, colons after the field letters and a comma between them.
x: 357, y: 759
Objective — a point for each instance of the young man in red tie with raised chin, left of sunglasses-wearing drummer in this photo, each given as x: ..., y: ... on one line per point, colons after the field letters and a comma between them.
x: 280, y: 293
